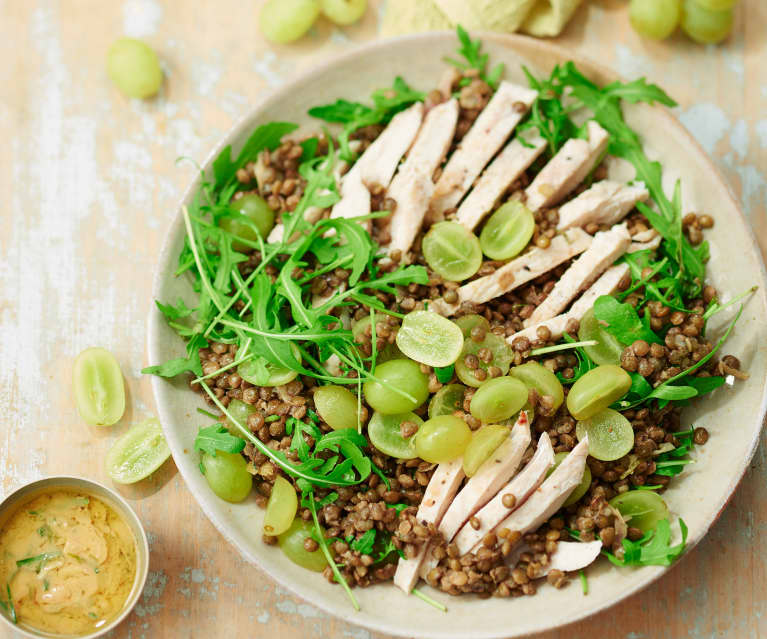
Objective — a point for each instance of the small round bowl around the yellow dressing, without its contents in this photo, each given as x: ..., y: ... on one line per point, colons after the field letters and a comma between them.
x: 29, y: 491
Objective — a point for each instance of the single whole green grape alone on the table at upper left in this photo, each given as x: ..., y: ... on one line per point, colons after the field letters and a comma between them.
x: 134, y: 68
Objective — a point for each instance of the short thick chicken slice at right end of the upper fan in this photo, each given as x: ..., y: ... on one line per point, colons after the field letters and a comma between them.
x: 606, y: 202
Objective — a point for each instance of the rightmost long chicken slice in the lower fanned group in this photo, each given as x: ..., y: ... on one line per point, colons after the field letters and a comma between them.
x: 551, y: 494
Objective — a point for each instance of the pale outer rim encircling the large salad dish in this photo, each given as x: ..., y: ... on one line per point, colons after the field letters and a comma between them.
x: 513, y: 42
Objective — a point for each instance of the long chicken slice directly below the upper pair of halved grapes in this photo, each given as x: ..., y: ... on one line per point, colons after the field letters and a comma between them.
x: 520, y: 270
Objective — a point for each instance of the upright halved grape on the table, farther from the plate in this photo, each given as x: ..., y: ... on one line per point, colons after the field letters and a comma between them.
x: 98, y: 387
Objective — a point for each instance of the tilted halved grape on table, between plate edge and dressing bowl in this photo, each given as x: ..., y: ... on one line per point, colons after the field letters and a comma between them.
x: 137, y: 453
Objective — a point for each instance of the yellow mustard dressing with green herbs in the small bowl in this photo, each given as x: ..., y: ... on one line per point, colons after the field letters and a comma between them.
x: 69, y: 560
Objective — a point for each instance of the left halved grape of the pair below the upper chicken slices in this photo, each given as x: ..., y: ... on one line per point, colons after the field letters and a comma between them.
x: 452, y: 251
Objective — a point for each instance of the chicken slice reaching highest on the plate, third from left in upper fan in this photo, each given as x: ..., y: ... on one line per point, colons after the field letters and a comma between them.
x: 488, y: 133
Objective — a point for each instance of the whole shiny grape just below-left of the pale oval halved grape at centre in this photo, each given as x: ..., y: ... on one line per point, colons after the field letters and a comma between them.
x: 401, y: 374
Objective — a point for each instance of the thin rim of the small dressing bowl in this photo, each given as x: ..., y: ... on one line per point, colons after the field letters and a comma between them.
x: 142, y: 544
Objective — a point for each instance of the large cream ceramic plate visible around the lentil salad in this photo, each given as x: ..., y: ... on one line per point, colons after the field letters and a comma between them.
x: 732, y: 414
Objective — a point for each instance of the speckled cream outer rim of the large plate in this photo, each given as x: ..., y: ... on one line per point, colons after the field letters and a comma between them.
x: 515, y: 43
